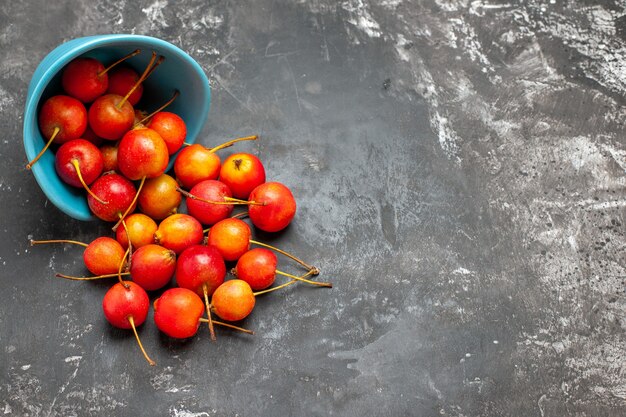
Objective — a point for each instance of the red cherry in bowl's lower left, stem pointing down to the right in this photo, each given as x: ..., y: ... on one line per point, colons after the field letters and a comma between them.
x: 78, y: 163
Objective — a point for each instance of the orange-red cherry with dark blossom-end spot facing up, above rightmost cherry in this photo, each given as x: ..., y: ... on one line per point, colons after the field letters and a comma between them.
x: 242, y: 172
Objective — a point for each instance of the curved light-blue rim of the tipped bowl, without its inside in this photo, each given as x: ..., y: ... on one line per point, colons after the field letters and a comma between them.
x: 68, y: 51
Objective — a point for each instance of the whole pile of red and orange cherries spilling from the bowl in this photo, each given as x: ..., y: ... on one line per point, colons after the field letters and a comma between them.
x: 106, y: 147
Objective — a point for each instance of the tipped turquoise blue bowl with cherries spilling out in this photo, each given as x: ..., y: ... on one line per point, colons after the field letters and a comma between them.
x: 178, y: 72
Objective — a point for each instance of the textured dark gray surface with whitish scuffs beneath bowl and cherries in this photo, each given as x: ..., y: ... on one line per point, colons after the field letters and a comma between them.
x: 460, y: 173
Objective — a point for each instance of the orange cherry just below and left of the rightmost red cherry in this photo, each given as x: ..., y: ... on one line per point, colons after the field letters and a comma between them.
x: 231, y: 237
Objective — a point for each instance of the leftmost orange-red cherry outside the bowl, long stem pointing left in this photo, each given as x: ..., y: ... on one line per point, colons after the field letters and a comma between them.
x: 102, y: 256
